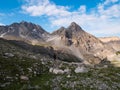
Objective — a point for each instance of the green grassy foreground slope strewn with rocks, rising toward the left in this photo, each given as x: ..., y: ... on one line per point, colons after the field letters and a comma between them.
x: 33, y: 67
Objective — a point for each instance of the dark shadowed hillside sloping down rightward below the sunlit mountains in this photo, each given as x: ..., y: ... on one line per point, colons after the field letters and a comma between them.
x: 23, y: 49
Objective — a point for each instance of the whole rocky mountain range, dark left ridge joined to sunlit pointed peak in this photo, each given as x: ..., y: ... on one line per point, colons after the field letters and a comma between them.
x: 72, y: 40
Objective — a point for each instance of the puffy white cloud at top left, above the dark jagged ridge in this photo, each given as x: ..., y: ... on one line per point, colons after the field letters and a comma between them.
x: 44, y: 7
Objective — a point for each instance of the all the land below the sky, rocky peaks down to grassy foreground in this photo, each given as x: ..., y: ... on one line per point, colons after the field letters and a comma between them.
x: 67, y: 59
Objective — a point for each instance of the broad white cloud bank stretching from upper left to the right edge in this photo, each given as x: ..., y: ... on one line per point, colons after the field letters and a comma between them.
x: 99, y: 21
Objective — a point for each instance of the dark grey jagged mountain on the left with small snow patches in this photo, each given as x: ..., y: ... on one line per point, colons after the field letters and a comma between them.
x: 25, y: 31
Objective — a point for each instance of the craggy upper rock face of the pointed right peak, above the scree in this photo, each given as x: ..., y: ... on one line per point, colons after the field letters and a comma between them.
x: 75, y: 35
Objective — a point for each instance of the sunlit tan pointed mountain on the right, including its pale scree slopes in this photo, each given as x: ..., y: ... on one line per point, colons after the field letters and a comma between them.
x: 80, y: 43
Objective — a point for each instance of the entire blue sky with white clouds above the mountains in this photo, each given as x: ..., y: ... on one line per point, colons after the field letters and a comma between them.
x: 98, y: 17
